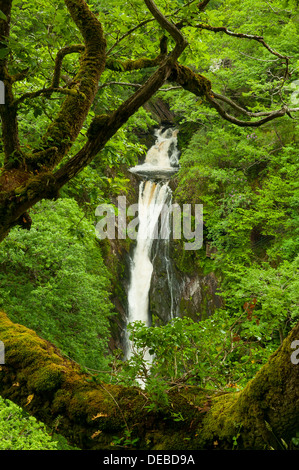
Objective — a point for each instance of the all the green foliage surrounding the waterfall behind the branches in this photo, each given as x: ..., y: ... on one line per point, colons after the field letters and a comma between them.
x: 53, y: 278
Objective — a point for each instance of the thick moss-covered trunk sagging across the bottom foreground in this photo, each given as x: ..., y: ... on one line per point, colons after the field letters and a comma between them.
x: 54, y: 389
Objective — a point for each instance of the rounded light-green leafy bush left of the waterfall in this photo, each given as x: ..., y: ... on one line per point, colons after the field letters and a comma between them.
x: 54, y: 281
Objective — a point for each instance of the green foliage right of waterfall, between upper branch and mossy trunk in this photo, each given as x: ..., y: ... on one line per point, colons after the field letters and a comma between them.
x: 247, y: 184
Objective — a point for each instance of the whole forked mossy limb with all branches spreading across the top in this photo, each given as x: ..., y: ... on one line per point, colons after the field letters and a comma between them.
x: 35, y: 178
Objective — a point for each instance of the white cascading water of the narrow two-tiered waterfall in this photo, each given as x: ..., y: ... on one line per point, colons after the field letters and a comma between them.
x: 154, y: 211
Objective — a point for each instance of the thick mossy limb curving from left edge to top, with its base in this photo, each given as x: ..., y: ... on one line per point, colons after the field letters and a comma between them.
x: 31, y: 179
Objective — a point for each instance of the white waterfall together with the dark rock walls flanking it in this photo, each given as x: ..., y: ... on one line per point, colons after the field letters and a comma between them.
x: 153, y: 285
